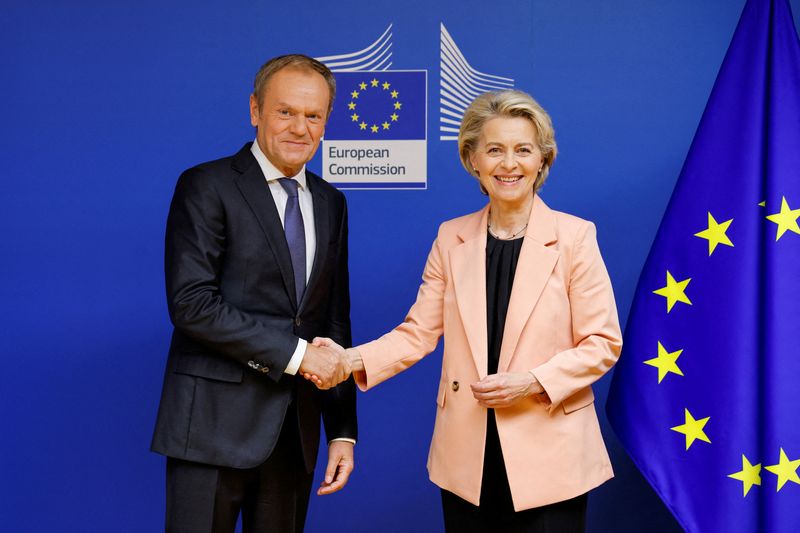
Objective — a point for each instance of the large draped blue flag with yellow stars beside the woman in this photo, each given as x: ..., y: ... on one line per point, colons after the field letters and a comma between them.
x: 706, y: 396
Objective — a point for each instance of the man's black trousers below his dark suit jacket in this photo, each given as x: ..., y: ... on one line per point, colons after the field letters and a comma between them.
x: 272, y: 497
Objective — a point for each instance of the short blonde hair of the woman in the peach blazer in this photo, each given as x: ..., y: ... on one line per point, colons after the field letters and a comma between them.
x: 507, y: 103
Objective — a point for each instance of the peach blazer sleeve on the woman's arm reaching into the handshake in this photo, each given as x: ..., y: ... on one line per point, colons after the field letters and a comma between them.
x: 416, y: 337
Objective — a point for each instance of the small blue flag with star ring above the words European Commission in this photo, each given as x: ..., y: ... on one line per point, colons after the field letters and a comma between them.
x: 378, y: 105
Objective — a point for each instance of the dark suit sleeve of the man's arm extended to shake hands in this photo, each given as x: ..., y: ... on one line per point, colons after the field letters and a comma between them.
x: 194, y: 251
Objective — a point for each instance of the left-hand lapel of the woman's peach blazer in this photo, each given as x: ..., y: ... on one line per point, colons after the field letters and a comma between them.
x: 468, y: 264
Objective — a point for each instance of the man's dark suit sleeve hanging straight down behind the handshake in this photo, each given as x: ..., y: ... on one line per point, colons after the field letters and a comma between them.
x: 339, y: 403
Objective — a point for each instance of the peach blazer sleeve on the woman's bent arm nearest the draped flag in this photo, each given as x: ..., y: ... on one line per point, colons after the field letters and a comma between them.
x: 596, y: 333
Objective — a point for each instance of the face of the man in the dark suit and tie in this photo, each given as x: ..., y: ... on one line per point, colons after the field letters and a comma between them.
x: 291, y: 117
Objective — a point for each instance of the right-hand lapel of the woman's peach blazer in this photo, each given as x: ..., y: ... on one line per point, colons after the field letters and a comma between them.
x: 536, y: 262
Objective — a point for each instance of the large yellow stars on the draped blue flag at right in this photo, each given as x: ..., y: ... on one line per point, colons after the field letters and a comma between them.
x: 694, y: 429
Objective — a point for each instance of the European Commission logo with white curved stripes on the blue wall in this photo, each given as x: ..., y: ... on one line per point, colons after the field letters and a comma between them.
x: 376, y: 137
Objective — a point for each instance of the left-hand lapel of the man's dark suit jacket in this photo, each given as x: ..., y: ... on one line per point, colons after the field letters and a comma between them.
x: 254, y: 188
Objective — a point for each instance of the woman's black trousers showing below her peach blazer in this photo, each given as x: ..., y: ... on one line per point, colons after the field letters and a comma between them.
x: 496, y: 511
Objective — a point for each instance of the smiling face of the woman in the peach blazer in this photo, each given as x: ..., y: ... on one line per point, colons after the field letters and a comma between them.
x: 508, y: 159
